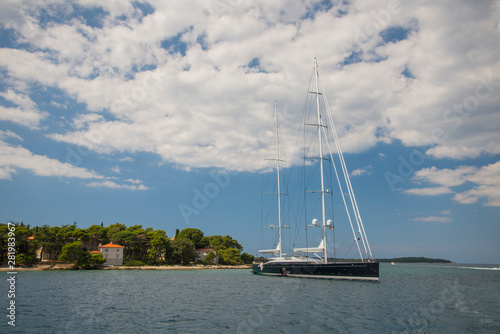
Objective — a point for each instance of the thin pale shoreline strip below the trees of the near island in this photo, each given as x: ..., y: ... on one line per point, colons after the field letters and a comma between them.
x: 71, y: 267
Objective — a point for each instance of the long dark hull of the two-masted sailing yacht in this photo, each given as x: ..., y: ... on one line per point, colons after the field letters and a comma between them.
x: 348, y: 270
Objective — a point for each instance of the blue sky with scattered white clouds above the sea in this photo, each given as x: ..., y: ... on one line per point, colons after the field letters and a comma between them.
x: 157, y: 113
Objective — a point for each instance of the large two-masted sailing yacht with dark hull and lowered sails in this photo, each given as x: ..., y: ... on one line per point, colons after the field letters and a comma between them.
x: 299, y: 263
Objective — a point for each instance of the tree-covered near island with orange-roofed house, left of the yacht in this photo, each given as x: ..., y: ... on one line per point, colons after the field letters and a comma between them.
x: 99, y: 247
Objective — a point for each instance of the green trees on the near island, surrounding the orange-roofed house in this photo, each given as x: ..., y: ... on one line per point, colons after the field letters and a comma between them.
x: 142, y: 245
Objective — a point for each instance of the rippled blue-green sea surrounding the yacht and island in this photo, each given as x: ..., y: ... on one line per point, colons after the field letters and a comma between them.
x: 409, y: 298
